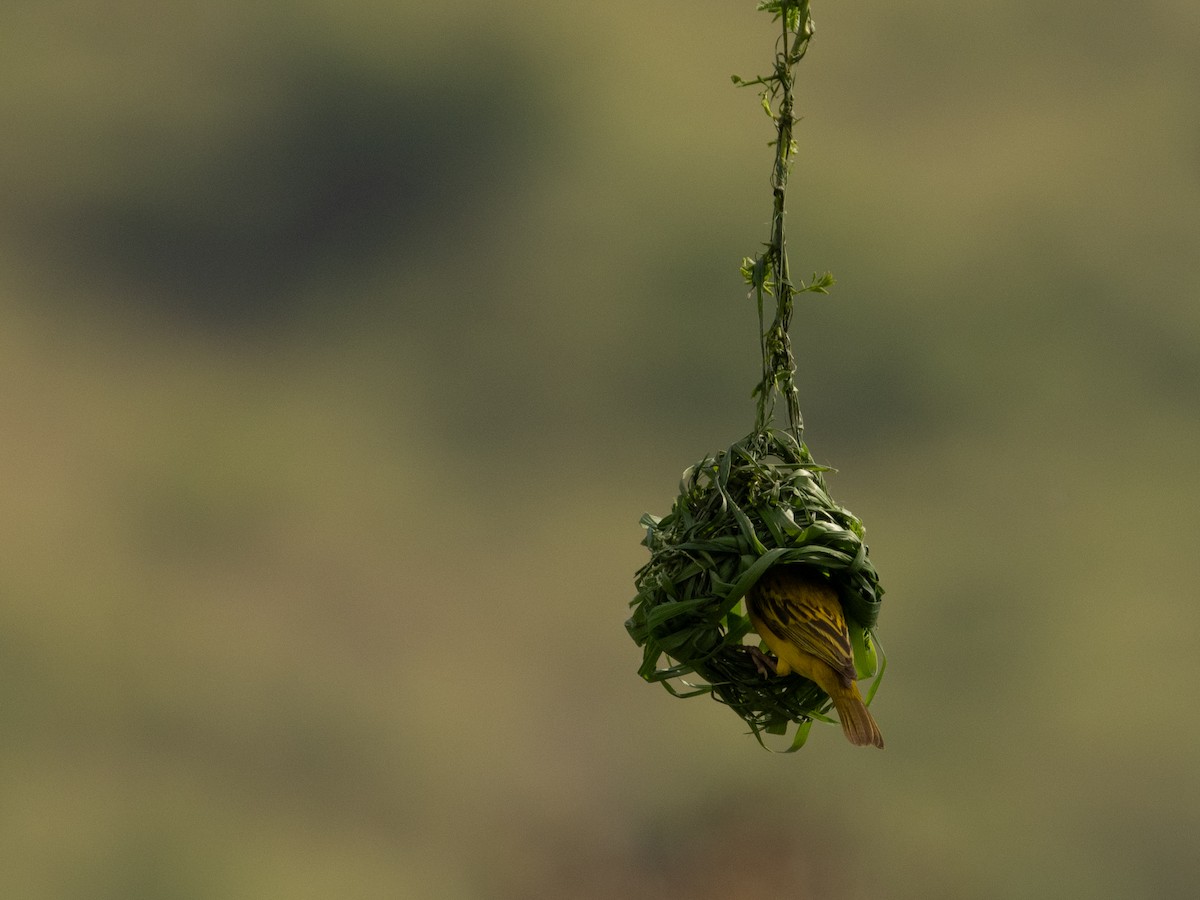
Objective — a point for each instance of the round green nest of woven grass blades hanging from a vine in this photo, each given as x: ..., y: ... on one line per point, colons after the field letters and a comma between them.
x: 760, y: 503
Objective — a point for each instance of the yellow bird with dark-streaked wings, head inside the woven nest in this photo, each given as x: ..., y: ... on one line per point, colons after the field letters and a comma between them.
x: 799, y: 615
